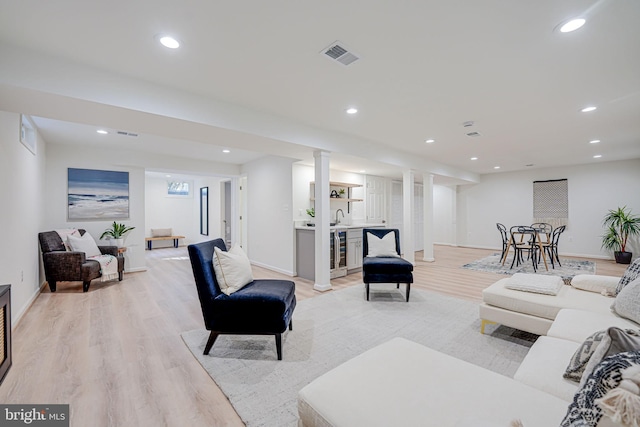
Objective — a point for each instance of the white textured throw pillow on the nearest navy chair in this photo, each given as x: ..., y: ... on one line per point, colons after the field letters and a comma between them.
x: 232, y: 268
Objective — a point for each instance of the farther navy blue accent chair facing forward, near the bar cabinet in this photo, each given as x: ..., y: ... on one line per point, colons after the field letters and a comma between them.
x: 385, y: 269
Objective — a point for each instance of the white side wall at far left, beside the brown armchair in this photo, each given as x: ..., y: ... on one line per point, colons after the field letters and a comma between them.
x: 22, y: 191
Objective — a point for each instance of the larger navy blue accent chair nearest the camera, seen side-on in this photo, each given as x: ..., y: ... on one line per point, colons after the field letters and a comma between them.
x: 263, y: 307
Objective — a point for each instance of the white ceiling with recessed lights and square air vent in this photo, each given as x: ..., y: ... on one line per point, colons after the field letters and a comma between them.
x: 425, y: 68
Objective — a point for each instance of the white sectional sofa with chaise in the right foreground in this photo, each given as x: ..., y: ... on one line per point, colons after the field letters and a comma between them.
x: 407, y: 384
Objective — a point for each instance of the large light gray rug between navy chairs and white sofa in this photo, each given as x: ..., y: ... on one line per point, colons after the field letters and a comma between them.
x: 332, y: 328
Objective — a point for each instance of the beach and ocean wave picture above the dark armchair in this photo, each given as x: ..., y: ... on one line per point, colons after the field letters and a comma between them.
x: 97, y: 194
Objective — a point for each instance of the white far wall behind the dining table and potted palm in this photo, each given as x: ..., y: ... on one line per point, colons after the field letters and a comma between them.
x: 508, y: 198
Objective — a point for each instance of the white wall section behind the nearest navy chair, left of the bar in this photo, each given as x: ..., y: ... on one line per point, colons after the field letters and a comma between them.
x: 270, y: 233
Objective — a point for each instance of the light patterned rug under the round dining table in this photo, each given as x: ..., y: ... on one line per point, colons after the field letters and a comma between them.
x: 569, y: 268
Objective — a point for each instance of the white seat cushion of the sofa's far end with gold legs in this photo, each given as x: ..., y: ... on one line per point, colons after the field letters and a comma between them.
x: 546, y: 306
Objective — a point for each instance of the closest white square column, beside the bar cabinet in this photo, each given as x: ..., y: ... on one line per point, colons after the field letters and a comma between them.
x: 322, y: 219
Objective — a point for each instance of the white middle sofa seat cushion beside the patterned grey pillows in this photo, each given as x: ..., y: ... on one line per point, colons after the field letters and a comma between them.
x: 545, y: 364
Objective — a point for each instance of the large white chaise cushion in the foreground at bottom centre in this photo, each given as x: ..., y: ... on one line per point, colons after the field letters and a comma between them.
x: 404, y: 383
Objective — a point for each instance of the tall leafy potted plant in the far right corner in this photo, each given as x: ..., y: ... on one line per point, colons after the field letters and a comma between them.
x: 620, y: 224
